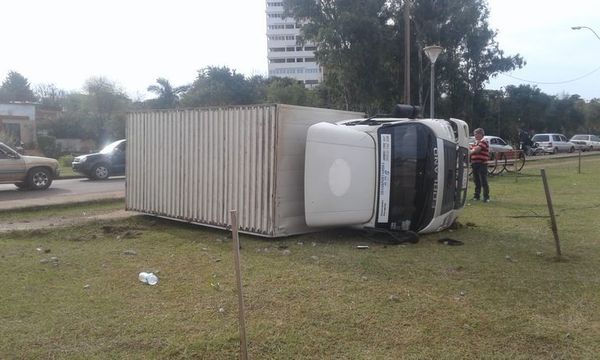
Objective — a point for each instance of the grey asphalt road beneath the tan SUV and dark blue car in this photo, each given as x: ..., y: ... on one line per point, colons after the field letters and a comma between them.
x: 62, y: 191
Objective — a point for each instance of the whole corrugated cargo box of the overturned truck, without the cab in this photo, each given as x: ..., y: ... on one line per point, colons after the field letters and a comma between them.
x: 196, y: 165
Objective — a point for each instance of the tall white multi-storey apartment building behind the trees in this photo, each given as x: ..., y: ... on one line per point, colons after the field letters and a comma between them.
x: 286, y: 57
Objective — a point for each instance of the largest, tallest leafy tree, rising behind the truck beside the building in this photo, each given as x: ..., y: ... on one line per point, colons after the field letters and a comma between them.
x: 360, y: 48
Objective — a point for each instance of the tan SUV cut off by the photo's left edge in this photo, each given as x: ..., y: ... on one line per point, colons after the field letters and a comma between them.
x: 26, y: 172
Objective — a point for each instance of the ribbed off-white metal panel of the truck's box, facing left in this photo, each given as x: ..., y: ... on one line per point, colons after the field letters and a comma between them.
x: 197, y: 164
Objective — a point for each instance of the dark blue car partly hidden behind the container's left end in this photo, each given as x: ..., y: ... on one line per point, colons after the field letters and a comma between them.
x: 109, y: 161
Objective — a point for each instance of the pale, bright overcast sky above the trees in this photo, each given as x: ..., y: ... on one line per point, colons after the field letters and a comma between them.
x: 134, y: 42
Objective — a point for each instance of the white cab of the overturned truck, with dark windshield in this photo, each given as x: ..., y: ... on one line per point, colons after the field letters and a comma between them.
x: 386, y: 173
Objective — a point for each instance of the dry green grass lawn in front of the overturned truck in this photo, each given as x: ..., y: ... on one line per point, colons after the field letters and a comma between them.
x: 502, y: 295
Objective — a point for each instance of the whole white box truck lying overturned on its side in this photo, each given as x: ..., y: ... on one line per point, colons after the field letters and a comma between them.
x: 290, y: 169
